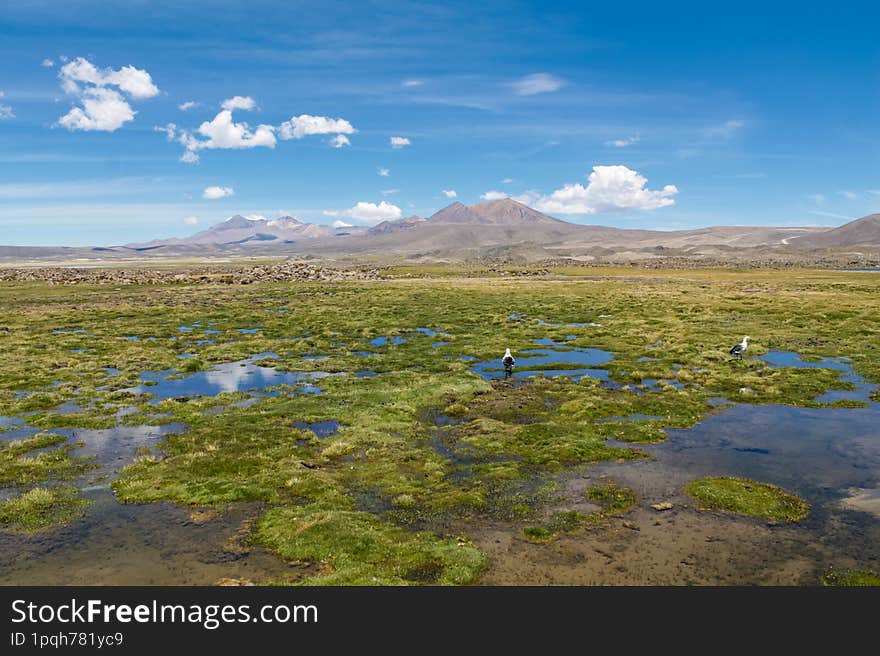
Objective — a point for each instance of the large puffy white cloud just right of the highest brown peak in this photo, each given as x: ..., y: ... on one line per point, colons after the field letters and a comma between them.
x: 610, y: 189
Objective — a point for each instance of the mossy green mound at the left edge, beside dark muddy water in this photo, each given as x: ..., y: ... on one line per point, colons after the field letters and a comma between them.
x: 42, y: 508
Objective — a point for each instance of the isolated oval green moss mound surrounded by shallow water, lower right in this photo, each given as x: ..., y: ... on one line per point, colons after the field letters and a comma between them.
x: 747, y: 497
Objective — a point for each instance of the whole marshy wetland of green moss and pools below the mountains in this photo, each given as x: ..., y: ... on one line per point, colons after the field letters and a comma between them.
x: 363, y: 432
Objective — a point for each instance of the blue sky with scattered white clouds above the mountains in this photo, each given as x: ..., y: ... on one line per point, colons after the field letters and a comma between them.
x: 684, y: 115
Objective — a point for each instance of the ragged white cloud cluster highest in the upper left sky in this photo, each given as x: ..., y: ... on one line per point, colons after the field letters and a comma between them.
x: 103, y: 94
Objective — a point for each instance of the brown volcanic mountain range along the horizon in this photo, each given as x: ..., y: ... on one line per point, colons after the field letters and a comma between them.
x: 501, y: 228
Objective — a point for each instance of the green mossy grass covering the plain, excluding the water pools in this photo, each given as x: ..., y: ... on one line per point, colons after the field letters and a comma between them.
x: 374, y: 503
